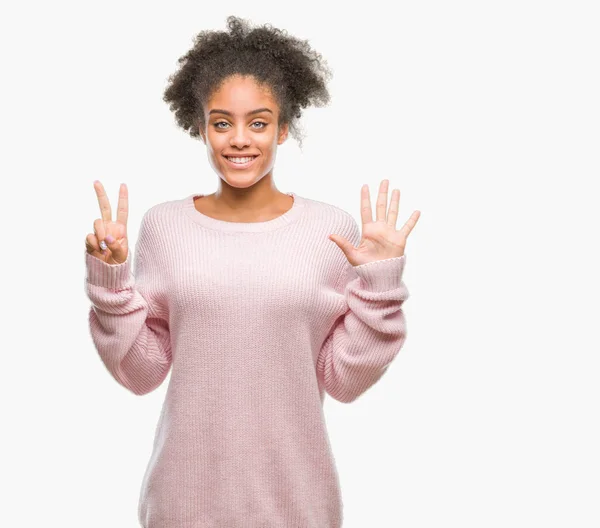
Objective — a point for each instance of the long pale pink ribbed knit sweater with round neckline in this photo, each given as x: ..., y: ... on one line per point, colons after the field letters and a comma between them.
x: 255, y: 321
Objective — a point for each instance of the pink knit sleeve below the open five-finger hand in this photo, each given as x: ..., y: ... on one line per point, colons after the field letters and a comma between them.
x: 365, y: 340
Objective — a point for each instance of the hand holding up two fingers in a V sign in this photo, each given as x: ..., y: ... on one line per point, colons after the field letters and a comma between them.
x: 114, y: 234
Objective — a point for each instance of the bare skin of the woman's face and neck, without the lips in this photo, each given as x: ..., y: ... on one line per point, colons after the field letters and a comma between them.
x: 244, y: 195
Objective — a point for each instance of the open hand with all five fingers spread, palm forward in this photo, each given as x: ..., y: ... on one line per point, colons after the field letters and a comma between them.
x: 380, y: 240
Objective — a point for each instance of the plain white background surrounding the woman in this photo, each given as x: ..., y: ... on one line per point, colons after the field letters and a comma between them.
x: 484, y: 114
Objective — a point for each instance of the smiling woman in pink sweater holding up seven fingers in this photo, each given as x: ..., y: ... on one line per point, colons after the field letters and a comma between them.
x: 243, y: 297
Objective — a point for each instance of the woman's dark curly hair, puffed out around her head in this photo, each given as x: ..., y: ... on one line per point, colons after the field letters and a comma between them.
x: 295, y: 74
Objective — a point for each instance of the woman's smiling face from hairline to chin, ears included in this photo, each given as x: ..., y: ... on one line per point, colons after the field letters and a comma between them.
x: 241, y: 122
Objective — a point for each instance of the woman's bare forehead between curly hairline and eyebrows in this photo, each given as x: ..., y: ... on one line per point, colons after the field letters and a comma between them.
x: 240, y: 94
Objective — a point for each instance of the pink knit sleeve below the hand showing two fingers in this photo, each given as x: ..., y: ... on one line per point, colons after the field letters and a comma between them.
x: 128, y: 327
